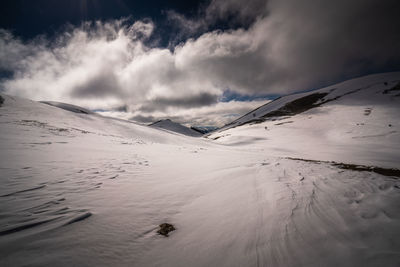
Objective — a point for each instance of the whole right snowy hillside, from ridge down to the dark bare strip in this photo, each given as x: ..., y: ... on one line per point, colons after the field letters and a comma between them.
x: 356, y: 121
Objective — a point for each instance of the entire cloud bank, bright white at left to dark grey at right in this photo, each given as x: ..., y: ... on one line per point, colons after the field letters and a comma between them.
x: 285, y: 47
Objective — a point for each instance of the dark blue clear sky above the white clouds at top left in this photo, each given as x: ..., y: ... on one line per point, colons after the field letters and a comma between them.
x: 27, y: 18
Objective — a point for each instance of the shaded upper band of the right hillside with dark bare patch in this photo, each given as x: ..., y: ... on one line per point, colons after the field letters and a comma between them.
x: 375, y: 89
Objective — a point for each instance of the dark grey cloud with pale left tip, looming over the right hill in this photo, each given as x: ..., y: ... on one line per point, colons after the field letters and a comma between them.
x: 300, y: 45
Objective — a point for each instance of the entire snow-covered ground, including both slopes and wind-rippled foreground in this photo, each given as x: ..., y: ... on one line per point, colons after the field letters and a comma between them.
x: 79, y: 189
